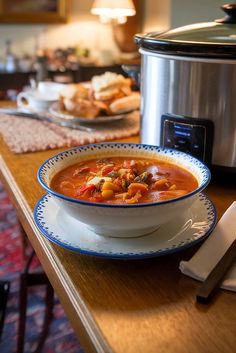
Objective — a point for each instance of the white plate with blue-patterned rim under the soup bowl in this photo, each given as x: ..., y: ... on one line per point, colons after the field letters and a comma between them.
x: 182, y: 232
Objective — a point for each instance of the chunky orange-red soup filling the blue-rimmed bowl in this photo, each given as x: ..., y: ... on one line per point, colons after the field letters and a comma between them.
x: 121, y: 180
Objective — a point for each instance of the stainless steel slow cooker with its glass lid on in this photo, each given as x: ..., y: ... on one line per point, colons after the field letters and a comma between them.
x: 188, y: 89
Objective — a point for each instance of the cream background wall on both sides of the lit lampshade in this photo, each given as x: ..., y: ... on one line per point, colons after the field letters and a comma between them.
x: 85, y: 29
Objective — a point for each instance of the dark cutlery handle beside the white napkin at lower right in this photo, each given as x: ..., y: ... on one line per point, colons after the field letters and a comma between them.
x: 215, y: 277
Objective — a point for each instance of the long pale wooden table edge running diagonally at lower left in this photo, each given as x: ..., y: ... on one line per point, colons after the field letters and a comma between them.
x: 92, y: 339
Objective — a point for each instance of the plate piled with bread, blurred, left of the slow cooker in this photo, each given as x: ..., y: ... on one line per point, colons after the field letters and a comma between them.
x: 106, y: 98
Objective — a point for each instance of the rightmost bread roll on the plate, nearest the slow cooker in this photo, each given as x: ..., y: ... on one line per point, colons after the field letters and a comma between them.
x: 125, y: 104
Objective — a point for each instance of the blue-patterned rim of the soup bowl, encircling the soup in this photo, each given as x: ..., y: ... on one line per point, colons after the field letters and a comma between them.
x: 142, y: 146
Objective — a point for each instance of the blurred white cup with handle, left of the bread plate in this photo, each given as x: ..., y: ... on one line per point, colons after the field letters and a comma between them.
x: 35, y: 100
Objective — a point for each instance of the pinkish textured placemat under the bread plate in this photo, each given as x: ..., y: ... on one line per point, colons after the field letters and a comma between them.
x: 27, y: 135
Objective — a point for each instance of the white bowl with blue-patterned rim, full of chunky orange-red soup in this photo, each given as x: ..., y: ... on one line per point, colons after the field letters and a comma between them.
x: 123, y: 189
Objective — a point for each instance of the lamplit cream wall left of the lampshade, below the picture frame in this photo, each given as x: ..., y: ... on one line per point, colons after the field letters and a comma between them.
x: 82, y: 29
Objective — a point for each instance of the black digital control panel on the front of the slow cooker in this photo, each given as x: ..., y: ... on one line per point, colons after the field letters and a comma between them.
x: 187, y: 134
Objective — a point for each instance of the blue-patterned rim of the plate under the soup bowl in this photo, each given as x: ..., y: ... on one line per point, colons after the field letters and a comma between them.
x: 41, y: 226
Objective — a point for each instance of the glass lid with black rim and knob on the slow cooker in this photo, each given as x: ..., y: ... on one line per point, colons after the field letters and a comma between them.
x: 207, y: 39
